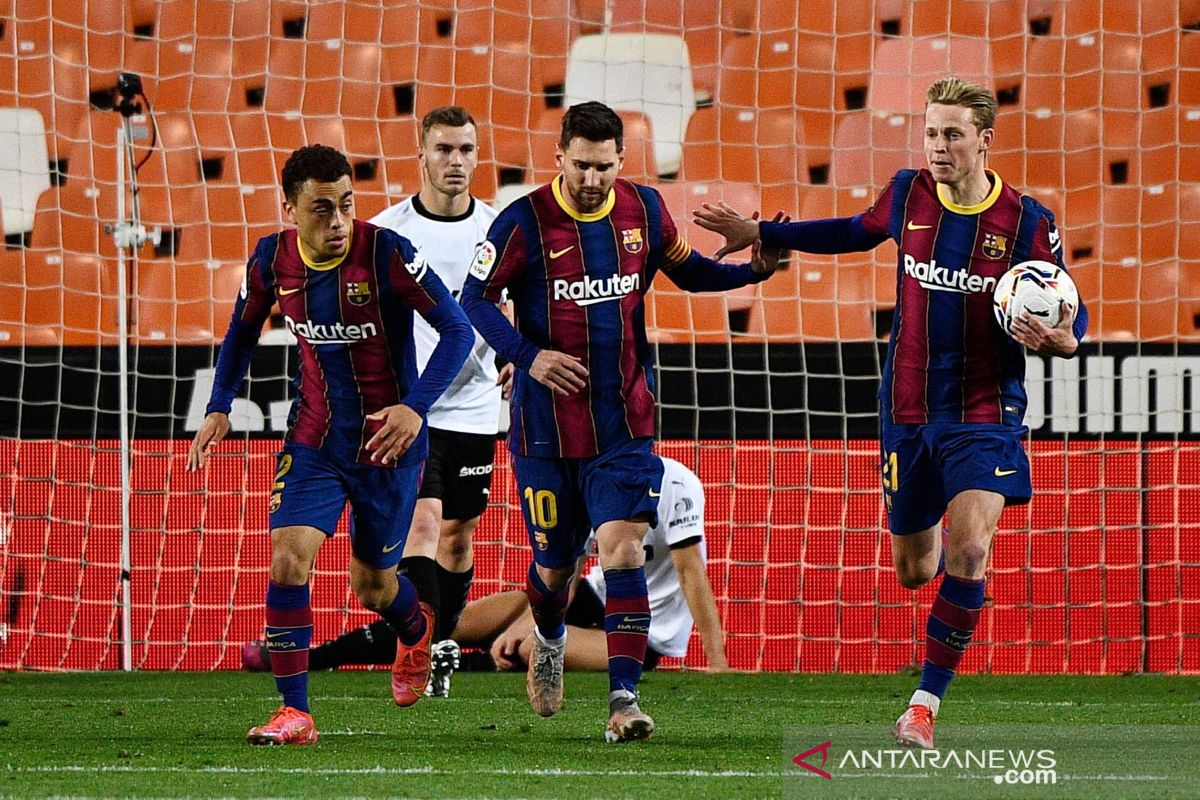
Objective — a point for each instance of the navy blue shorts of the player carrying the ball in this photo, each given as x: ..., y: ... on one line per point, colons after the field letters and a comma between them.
x: 927, y: 466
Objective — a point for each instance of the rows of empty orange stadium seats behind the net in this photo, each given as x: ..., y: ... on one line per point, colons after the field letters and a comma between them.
x: 1101, y: 116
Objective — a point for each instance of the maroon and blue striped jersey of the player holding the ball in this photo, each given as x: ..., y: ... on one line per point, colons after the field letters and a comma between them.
x: 949, y: 360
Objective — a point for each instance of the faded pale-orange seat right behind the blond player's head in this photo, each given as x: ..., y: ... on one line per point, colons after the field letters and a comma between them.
x: 904, y: 69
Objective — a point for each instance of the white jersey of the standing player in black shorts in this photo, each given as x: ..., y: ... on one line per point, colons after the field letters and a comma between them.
x: 472, y: 404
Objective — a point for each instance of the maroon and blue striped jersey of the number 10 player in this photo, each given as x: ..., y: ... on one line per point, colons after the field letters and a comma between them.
x: 578, y: 284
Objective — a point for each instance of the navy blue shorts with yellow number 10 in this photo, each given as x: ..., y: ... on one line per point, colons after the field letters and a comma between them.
x: 565, y: 500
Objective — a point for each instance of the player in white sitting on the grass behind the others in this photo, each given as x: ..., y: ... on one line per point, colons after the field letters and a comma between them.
x: 677, y: 587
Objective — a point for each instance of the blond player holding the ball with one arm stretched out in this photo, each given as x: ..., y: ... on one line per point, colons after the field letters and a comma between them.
x: 952, y: 399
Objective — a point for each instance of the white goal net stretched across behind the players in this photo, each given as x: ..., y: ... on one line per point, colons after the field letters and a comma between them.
x: 767, y: 393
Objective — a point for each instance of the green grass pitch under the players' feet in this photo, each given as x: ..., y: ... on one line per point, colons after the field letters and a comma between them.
x: 181, y: 736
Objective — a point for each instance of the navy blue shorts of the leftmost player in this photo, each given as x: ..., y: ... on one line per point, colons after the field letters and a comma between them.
x: 311, y: 489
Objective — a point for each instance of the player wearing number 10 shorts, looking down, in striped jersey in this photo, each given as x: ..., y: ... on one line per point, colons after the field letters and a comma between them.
x: 577, y: 257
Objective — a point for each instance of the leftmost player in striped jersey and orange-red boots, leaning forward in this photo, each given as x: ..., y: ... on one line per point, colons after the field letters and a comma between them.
x: 347, y: 291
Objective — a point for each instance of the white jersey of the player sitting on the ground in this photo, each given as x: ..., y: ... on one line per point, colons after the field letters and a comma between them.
x: 681, y: 519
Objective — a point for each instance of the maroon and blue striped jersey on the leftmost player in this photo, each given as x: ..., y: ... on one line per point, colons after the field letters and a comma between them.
x: 353, y: 322
